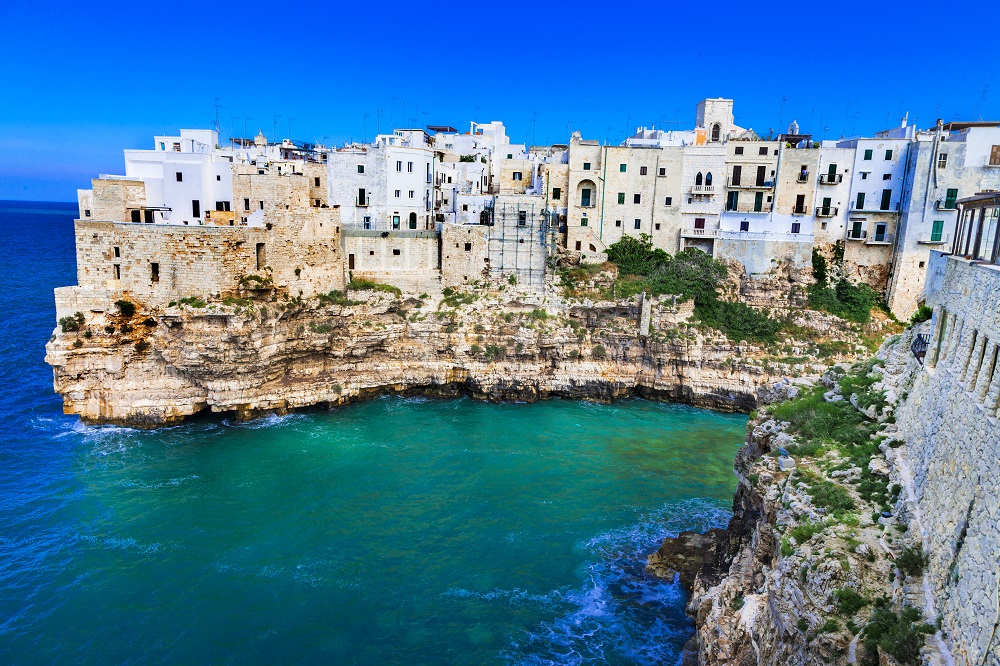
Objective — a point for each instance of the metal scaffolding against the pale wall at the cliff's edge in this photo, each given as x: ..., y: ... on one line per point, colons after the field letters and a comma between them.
x: 518, y: 241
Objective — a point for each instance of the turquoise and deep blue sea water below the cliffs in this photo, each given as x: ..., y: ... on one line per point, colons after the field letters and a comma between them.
x: 396, y: 531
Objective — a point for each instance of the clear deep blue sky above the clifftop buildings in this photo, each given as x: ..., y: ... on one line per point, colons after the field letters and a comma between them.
x: 80, y: 81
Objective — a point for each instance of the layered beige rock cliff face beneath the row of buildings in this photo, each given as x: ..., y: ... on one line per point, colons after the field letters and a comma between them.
x: 257, y: 356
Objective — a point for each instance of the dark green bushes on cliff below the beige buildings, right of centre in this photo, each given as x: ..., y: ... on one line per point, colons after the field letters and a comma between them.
x: 689, y: 274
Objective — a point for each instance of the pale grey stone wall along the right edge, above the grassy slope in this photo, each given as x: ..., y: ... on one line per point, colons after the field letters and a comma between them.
x: 949, y: 420
